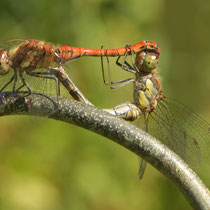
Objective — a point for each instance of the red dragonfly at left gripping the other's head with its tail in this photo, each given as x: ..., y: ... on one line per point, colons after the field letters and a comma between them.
x: 29, y: 55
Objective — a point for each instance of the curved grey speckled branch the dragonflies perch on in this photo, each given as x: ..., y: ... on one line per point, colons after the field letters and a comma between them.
x: 118, y: 130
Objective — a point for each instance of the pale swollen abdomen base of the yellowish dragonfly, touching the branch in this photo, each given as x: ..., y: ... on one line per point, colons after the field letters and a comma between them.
x: 127, y: 111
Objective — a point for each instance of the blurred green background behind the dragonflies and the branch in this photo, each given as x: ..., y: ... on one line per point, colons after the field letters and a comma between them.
x: 51, y: 165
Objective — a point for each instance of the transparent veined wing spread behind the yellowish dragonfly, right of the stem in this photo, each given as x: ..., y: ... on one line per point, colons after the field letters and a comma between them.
x: 180, y: 129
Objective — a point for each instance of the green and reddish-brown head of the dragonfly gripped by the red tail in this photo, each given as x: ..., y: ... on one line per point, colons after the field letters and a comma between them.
x: 147, y: 61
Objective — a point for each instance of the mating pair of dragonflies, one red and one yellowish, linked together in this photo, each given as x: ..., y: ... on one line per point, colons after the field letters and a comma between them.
x: 172, y: 123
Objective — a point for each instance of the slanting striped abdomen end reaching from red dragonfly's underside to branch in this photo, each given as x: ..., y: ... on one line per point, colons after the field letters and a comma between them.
x: 65, y: 80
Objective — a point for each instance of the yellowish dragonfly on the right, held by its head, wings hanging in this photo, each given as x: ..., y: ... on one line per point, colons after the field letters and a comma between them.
x: 183, y: 131
